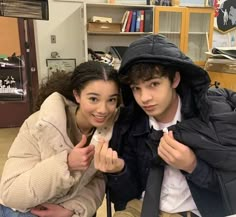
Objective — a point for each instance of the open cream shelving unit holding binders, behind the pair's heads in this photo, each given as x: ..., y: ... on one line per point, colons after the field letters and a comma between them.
x: 101, y: 41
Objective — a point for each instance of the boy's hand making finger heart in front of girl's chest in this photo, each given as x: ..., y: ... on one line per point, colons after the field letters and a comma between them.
x: 107, y: 160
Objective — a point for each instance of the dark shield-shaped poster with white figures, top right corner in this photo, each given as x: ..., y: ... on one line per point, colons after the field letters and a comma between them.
x: 225, y: 15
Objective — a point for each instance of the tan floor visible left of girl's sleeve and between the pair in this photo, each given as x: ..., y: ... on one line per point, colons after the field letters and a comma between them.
x: 7, y: 136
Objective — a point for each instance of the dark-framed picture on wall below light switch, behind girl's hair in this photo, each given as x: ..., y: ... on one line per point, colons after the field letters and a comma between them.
x: 60, y: 64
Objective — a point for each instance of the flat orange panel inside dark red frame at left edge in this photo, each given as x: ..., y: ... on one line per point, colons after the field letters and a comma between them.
x: 9, y: 40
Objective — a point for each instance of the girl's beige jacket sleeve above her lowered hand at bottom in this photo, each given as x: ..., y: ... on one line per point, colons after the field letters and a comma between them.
x: 89, y: 199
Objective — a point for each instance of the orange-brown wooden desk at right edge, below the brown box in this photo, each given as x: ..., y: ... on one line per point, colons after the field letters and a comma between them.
x: 227, y: 80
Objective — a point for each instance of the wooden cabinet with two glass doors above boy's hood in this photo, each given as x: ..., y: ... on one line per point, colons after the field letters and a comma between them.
x: 191, y: 29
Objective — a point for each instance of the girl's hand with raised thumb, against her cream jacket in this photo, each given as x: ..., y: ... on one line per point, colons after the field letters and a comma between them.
x: 80, y: 157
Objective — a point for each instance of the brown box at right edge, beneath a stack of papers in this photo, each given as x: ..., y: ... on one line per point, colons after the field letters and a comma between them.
x: 220, y: 65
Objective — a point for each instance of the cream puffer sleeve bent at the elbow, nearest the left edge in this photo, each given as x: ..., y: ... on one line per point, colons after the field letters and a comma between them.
x: 28, y: 177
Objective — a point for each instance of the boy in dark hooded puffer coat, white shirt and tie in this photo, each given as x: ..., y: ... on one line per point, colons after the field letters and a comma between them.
x: 163, y: 89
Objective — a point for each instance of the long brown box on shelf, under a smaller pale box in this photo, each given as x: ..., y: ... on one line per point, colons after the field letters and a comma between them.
x: 104, y: 27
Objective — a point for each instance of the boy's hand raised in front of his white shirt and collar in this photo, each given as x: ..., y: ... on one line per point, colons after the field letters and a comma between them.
x: 176, y: 154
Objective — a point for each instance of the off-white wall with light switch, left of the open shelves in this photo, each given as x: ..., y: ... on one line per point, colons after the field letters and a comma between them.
x: 64, y: 16
